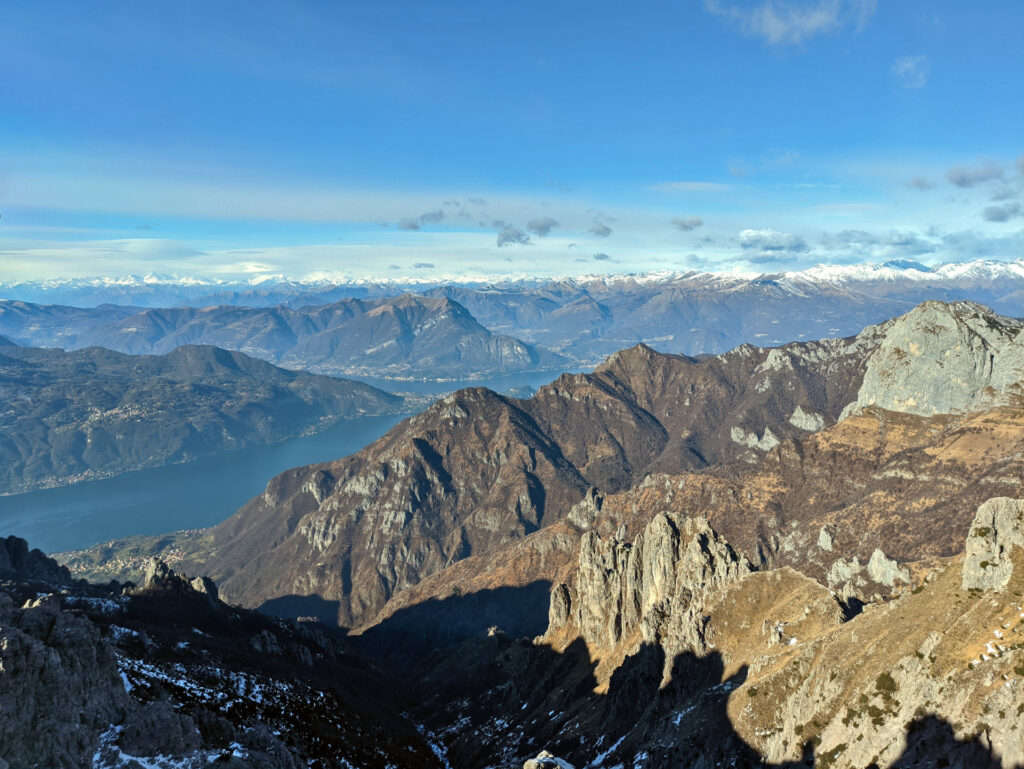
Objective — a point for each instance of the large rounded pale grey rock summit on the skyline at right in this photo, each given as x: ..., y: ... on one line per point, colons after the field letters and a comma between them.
x: 945, y: 359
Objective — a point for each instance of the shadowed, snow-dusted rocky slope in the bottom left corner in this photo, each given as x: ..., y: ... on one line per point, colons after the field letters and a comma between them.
x: 166, y: 676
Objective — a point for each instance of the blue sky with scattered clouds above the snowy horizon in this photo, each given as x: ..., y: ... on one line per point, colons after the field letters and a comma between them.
x: 459, y: 140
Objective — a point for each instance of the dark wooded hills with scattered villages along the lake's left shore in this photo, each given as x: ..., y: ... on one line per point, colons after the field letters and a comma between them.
x: 72, y: 416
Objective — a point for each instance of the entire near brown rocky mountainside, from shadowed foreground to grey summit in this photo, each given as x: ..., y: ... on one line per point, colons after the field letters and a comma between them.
x: 808, y: 556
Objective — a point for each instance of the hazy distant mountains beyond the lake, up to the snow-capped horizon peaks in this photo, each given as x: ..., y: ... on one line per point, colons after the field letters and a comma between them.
x: 477, y: 330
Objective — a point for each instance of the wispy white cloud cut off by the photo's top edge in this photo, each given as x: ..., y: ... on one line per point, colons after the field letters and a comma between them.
x: 782, y: 23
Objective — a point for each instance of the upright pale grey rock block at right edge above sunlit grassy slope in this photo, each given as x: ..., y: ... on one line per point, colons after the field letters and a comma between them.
x: 997, y: 530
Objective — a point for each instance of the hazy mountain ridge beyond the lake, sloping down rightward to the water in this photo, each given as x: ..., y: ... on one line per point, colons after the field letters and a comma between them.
x: 407, y: 336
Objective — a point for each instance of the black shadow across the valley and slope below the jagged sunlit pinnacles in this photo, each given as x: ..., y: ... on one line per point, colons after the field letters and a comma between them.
x: 500, y: 699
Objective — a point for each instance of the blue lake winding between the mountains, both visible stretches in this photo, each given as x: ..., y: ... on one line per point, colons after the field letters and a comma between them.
x: 198, y: 494
